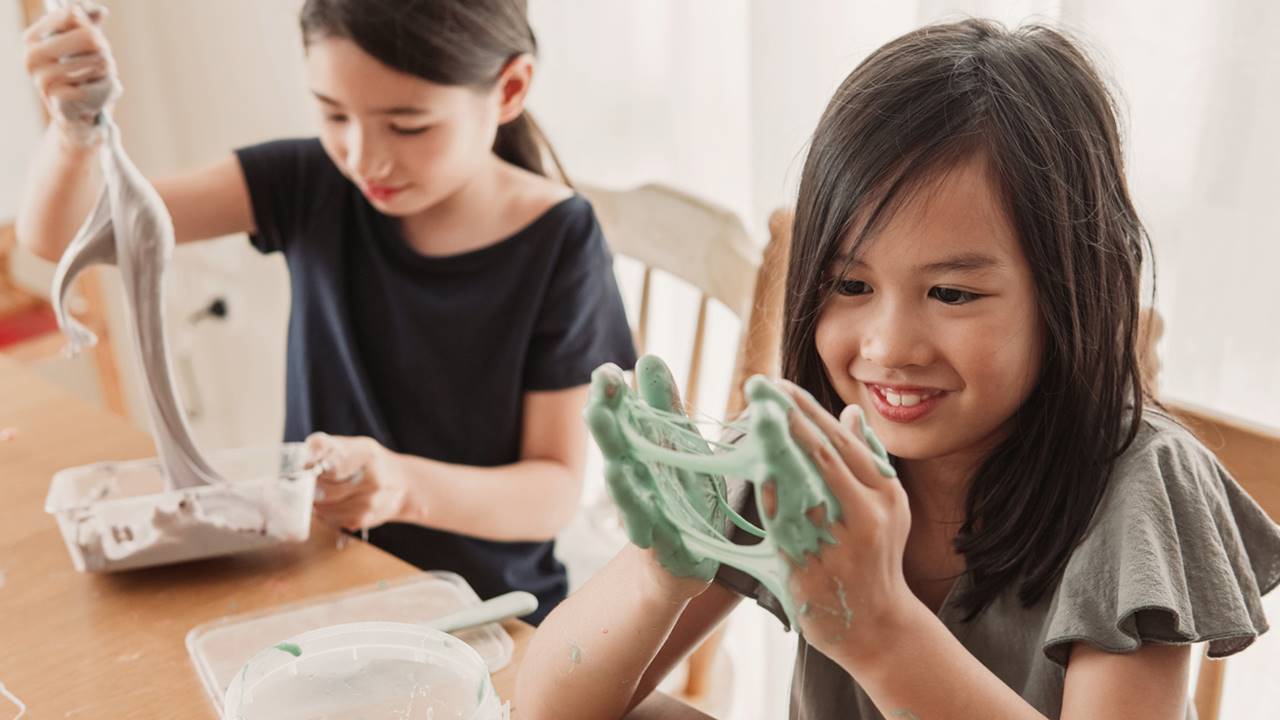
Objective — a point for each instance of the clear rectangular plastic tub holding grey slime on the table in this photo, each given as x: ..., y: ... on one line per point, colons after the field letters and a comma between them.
x: 120, y: 516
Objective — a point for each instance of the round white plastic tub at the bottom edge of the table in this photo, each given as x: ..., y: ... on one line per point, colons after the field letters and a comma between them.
x: 367, y: 671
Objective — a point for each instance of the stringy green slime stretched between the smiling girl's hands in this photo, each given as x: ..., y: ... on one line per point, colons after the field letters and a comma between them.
x: 670, y: 486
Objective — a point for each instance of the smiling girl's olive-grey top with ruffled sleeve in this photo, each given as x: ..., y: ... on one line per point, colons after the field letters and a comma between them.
x: 1177, y: 554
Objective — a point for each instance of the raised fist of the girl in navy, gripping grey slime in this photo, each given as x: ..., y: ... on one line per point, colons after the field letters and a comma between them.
x: 71, y: 63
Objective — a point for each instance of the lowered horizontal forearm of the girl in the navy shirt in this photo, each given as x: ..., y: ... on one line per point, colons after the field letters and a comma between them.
x: 531, y: 500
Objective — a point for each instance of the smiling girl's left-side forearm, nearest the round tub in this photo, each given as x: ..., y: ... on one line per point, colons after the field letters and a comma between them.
x: 589, y: 657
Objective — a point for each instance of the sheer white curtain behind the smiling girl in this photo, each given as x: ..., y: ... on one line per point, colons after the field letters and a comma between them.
x: 720, y: 98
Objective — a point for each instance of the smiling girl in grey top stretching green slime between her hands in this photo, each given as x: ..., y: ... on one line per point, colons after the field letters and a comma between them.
x: 1035, y: 539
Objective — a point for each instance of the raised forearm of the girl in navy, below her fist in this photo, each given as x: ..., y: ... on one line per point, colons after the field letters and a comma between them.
x: 62, y: 188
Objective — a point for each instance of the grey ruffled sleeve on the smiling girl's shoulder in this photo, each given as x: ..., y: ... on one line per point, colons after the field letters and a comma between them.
x: 1177, y: 553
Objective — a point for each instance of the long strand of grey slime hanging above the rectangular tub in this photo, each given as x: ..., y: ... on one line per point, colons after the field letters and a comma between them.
x: 131, y: 229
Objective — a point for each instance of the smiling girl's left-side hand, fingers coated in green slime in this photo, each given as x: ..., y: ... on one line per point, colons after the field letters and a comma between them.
x: 679, y: 573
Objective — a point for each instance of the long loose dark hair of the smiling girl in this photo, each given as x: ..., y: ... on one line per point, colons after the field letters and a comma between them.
x: 1034, y: 104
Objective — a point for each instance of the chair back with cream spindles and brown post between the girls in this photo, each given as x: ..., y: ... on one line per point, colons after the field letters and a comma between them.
x: 708, y: 248
